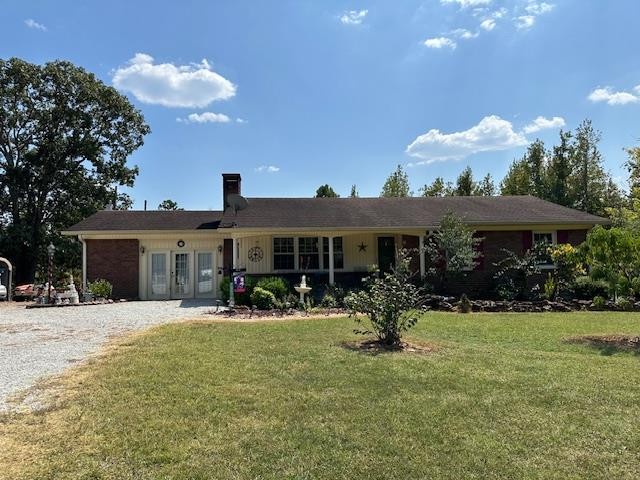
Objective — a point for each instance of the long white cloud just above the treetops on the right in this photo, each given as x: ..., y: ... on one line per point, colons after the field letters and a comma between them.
x: 491, y: 134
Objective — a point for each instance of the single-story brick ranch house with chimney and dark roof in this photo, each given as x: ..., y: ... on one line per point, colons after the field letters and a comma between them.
x: 184, y: 254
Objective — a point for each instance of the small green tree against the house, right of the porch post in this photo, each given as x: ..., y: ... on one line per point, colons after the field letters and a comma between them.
x: 452, y: 249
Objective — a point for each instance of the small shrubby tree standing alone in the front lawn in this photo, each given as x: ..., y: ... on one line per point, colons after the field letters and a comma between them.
x: 391, y: 303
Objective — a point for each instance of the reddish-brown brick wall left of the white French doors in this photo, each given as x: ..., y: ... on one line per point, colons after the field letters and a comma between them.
x: 117, y: 262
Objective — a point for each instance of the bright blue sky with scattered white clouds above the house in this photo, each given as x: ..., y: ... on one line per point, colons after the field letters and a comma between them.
x: 294, y: 94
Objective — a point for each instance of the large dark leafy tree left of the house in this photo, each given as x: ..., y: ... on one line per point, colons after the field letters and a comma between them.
x: 65, y: 138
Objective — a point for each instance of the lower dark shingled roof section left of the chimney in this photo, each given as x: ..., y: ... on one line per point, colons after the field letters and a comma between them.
x: 148, y: 220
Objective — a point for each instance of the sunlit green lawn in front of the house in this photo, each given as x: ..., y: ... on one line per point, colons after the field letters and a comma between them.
x: 502, y: 397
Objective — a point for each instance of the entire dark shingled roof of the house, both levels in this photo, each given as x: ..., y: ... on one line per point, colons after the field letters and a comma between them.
x: 345, y: 213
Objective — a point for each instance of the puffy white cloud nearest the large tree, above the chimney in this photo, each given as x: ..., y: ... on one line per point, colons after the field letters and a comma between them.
x: 194, y: 85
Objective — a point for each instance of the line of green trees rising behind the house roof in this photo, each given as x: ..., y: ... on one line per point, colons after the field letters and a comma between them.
x: 570, y: 173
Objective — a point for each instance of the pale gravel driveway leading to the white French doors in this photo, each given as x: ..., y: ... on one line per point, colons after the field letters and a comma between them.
x: 39, y: 342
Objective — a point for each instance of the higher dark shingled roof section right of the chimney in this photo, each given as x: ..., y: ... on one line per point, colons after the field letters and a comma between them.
x: 402, y: 212
